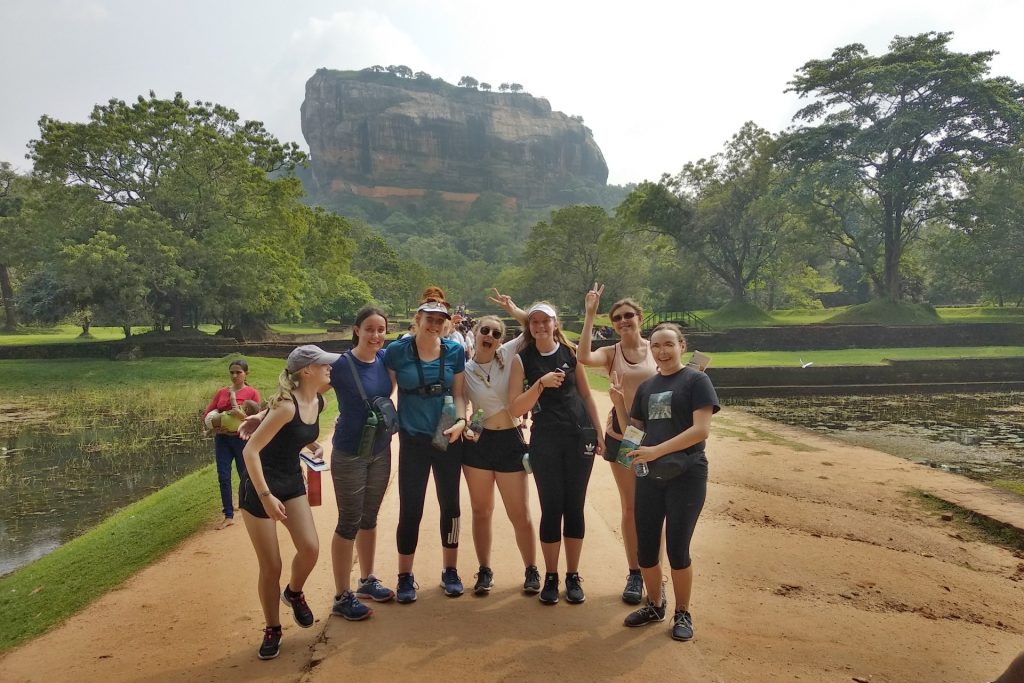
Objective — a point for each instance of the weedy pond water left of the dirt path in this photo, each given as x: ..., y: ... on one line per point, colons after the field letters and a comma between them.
x: 57, y: 486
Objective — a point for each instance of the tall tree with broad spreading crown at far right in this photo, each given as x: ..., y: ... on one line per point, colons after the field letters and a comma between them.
x: 898, y: 134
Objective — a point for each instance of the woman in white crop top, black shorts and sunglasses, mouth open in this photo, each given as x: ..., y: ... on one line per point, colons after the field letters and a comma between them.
x: 494, y: 457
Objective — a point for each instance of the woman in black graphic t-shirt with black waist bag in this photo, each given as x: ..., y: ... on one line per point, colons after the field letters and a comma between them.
x: 674, y: 409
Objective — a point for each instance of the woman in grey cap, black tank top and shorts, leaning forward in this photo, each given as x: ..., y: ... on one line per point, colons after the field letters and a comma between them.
x: 274, y: 491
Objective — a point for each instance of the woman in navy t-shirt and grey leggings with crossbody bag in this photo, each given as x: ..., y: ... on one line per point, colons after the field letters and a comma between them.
x: 361, y: 462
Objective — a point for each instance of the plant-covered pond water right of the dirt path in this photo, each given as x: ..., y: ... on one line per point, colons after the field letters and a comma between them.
x: 980, y: 436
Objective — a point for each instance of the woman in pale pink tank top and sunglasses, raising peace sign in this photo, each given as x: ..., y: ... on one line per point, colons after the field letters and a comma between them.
x: 630, y: 359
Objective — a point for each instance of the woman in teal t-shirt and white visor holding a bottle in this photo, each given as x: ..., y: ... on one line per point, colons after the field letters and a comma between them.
x: 429, y: 369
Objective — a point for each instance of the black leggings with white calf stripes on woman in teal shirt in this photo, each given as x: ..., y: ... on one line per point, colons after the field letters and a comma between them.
x: 416, y: 459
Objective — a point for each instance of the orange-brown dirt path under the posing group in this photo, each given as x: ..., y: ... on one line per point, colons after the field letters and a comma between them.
x: 813, y: 564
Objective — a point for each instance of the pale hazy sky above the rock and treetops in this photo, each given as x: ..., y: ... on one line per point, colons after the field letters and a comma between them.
x: 660, y: 83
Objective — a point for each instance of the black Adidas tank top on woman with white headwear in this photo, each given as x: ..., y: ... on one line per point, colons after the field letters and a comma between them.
x: 562, y: 409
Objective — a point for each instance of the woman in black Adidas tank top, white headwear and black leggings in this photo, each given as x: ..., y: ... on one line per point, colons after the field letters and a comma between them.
x: 565, y: 438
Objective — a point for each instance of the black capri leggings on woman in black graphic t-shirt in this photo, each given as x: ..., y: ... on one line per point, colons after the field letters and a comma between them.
x: 677, y: 504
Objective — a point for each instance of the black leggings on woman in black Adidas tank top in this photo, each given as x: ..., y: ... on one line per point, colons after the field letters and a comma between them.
x: 562, y: 474
